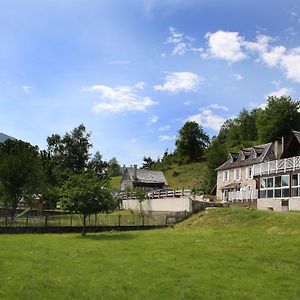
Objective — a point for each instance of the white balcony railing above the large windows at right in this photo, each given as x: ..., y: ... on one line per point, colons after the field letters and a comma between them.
x: 277, y: 166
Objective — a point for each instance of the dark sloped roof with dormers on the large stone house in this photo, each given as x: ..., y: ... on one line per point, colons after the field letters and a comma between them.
x: 262, y: 152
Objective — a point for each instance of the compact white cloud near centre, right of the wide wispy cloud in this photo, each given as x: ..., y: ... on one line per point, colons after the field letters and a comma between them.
x: 180, y: 82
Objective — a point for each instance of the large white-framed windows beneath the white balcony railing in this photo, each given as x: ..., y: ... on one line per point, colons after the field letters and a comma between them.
x: 277, y: 186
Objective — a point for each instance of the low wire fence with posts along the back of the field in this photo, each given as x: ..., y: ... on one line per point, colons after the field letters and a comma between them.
x: 76, y: 220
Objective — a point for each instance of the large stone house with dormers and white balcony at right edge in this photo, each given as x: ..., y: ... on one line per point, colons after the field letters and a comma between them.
x: 268, y: 174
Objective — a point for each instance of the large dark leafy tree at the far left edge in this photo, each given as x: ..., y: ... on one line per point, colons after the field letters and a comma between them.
x: 21, y: 174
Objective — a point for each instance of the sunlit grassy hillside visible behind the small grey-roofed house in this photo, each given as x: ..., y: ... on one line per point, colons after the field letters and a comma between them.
x: 178, y: 177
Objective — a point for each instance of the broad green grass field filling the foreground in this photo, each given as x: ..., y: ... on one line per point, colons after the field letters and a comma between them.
x: 224, y: 254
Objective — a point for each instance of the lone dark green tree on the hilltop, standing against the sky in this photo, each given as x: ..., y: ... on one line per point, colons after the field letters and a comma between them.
x: 191, y: 142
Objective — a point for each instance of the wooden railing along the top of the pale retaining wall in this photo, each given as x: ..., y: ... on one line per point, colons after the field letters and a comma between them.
x: 158, y: 194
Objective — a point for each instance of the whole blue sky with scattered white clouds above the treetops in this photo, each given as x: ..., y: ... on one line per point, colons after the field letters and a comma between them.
x: 134, y: 71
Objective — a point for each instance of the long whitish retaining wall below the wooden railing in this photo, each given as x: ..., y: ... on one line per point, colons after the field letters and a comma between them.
x: 164, y: 204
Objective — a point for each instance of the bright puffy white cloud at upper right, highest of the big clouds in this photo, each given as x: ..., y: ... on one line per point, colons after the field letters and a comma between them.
x: 226, y: 45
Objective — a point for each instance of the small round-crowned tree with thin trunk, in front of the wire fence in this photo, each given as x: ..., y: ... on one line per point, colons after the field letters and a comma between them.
x: 86, y: 194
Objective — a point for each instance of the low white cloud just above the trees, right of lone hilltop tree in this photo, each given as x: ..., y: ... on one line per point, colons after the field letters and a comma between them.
x: 208, y: 119
